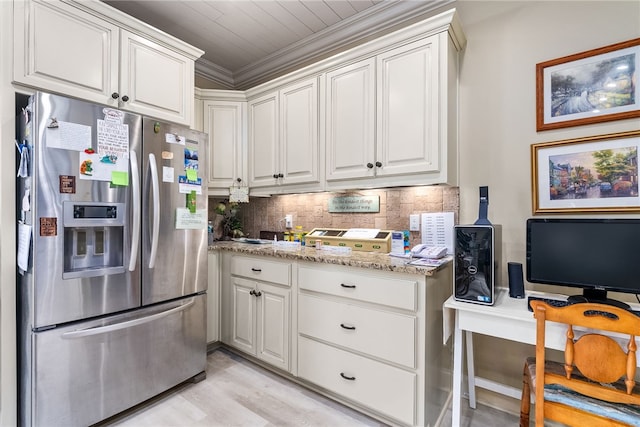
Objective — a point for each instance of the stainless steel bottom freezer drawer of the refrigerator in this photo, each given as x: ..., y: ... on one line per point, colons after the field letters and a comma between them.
x: 92, y: 370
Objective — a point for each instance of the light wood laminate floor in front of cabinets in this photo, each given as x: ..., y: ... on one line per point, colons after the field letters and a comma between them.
x: 237, y: 392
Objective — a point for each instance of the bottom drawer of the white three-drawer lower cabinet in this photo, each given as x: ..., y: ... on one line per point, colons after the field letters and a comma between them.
x: 385, y: 389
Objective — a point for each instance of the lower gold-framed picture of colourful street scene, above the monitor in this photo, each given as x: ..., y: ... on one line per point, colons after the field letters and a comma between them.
x: 586, y: 175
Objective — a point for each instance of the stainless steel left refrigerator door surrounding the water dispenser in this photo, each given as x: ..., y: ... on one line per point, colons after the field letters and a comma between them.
x: 52, y: 299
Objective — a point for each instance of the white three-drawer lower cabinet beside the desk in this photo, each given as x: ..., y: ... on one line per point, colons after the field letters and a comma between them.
x: 374, y: 339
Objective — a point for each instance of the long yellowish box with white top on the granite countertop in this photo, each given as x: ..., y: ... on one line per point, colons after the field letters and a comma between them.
x: 358, y: 239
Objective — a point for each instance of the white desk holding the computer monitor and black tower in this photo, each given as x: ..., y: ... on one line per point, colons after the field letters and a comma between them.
x: 509, y: 319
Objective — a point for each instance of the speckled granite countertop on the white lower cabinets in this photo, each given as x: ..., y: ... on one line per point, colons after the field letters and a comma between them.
x: 371, y: 260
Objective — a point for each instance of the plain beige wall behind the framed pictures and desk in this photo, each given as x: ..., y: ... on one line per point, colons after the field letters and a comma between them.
x: 498, y: 123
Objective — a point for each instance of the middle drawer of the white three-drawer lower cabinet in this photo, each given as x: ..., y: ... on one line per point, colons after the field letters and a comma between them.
x: 359, y: 328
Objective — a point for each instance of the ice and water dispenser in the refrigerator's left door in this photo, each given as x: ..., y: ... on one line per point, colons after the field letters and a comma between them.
x: 93, y: 239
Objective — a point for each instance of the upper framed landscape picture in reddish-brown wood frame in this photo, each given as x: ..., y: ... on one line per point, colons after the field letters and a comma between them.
x: 589, y: 87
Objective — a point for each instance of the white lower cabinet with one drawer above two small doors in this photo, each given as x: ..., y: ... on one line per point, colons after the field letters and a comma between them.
x: 256, y: 309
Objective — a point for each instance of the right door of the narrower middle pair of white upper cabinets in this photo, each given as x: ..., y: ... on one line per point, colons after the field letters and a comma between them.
x: 299, y: 132
